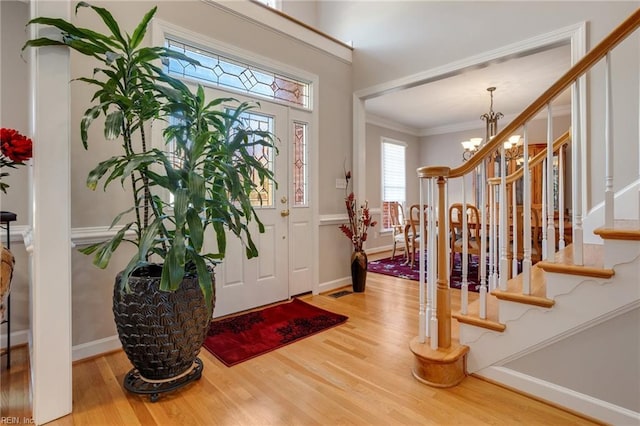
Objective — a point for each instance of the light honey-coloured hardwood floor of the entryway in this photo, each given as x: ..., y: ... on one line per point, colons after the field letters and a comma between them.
x: 356, y: 373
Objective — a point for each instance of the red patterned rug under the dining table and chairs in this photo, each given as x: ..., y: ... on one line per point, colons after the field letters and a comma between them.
x: 397, y: 268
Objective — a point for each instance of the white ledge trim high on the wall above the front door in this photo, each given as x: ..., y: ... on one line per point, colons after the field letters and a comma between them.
x: 275, y: 23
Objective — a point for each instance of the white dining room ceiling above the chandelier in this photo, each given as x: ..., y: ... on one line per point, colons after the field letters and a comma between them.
x: 456, y: 103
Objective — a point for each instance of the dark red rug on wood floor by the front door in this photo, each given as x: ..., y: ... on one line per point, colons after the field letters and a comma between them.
x: 237, y: 339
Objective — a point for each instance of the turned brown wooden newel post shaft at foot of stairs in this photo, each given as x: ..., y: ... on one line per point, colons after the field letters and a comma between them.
x: 443, y: 297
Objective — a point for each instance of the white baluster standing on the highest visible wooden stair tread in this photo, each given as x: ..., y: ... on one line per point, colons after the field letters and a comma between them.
x: 608, y: 140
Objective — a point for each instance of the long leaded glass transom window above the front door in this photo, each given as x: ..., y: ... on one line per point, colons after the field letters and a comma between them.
x: 226, y: 72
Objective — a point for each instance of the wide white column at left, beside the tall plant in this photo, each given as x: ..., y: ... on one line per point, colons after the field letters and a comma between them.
x: 50, y: 220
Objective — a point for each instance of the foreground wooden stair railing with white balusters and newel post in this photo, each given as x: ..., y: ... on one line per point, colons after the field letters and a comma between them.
x: 440, y: 360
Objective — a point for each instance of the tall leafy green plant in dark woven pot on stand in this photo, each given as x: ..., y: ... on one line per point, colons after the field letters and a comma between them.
x: 202, y: 178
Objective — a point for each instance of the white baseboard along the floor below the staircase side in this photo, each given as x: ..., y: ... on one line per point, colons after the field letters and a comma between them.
x: 561, y: 396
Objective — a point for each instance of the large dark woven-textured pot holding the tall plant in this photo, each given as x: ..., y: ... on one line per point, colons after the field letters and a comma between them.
x: 161, y: 332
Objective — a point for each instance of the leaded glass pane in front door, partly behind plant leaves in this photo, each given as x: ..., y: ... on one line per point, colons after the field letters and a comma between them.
x: 264, y: 195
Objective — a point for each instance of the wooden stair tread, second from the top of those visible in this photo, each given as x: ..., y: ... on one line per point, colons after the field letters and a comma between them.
x: 593, y: 264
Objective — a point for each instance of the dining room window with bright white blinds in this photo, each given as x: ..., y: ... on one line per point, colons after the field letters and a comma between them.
x: 393, y: 176
